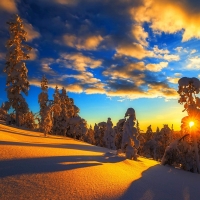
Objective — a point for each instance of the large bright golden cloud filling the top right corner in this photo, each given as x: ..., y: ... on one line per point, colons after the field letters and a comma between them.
x: 170, y: 16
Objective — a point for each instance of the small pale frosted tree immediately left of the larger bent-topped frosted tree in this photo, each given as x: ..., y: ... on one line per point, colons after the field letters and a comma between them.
x: 109, y: 135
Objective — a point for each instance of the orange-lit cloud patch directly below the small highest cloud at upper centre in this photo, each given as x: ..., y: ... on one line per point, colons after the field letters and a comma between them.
x: 80, y: 62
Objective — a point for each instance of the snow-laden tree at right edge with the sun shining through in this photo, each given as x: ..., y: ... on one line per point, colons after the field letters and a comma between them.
x: 181, y: 152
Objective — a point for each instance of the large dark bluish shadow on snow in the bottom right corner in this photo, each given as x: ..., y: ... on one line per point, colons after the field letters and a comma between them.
x: 164, y: 183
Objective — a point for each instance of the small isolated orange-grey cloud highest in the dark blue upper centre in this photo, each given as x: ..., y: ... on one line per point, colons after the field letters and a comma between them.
x: 90, y: 42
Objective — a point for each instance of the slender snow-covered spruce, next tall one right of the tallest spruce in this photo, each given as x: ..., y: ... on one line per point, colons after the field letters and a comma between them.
x: 45, y: 124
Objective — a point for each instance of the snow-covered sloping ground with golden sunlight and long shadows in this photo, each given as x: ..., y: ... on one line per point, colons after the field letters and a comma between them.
x: 35, y: 167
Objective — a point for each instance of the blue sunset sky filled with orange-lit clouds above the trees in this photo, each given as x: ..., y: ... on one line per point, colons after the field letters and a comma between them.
x: 109, y: 55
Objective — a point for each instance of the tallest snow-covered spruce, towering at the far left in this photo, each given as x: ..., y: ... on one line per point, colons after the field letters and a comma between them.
x: 15, y: 68
